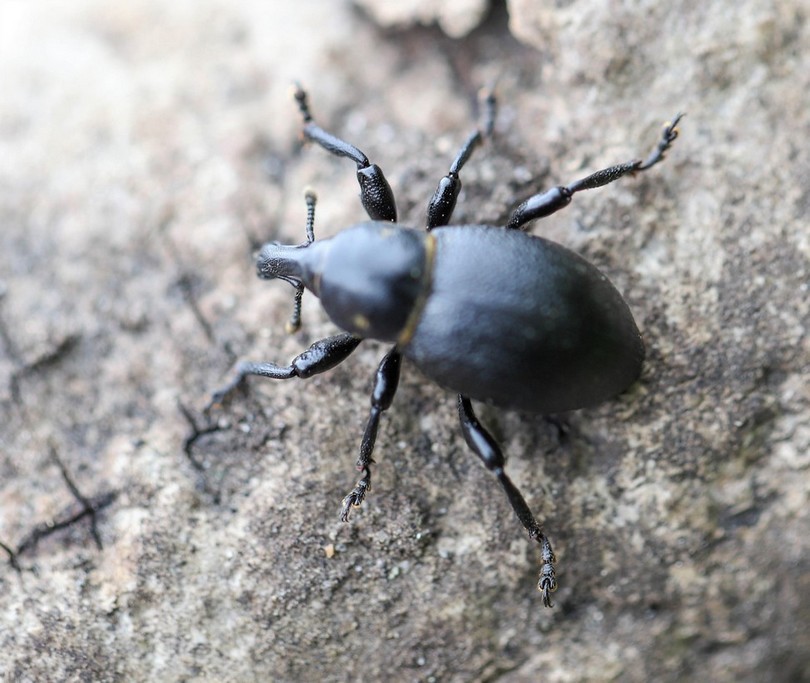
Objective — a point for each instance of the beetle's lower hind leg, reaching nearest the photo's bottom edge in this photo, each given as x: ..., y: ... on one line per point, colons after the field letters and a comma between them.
x: 485, y: 447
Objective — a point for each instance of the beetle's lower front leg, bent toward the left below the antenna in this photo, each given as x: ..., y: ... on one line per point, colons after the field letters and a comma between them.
x: 321, y: 356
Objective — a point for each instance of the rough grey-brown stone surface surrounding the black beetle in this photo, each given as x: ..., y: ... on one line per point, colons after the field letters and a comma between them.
x: 146, y: 148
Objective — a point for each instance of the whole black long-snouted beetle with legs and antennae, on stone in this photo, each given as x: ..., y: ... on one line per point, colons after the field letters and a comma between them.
x: 490, y: 313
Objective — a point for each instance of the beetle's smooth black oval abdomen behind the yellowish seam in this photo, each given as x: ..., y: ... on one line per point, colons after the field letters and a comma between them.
x: 524, y: 323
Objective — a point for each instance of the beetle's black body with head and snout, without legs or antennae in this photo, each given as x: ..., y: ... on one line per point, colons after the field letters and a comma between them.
x: 497, y: 315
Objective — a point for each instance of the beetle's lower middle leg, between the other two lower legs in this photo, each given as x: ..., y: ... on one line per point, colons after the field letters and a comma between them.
x: 385, y: 386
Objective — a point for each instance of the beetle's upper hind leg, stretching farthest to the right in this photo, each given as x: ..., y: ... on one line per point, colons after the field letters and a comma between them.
x: 551, y: 201
